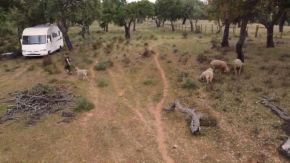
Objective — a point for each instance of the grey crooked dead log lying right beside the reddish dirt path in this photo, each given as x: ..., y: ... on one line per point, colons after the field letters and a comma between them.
x: 195, y: 123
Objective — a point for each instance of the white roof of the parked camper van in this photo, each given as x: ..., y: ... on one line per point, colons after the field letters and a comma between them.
x: 37, y: 30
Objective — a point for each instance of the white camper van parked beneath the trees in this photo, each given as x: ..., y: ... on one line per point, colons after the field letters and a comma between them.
x: 41, y: 40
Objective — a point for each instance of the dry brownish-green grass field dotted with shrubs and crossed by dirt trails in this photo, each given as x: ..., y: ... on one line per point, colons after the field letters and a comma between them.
x: 128, y: 123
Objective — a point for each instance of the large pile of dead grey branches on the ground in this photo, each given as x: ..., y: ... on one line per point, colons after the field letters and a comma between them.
x: 33, y: 103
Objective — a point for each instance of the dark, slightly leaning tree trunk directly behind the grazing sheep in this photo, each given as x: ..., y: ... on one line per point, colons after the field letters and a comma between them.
x: 240, y: 43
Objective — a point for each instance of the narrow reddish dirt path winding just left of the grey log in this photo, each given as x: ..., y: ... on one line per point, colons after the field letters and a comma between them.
x: 162, y: 147
